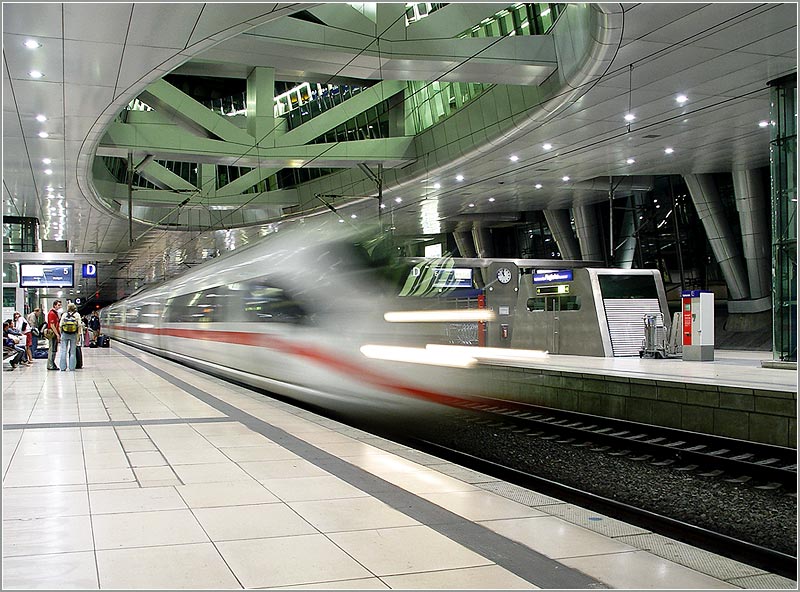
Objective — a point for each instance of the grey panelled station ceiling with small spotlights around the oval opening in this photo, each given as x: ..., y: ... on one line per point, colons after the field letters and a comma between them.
x: 95, y: 58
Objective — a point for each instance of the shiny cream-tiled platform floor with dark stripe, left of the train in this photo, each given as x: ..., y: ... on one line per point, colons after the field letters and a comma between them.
x: 136, y: 472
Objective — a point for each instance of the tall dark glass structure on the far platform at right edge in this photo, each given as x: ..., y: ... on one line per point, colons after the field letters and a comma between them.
x: 783, y: 164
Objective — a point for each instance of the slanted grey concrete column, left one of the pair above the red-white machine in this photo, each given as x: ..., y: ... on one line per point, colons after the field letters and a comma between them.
x: 709, y: 208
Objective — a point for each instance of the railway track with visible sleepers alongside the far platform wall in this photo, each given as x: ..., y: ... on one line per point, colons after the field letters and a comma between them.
x: 762, y: 466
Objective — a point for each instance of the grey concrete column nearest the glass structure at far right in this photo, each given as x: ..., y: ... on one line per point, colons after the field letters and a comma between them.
x: 752, y: 202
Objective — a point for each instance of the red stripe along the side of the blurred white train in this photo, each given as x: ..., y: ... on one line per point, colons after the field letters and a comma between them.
x: 309, y: 353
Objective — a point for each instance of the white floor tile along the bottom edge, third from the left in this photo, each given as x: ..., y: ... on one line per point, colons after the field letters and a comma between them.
x: 285, y: 561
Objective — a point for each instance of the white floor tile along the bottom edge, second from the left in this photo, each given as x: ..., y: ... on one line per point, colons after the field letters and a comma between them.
x: 197, y: 566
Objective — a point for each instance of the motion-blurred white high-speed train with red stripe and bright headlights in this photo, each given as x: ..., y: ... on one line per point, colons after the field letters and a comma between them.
x: 304, y: 313
